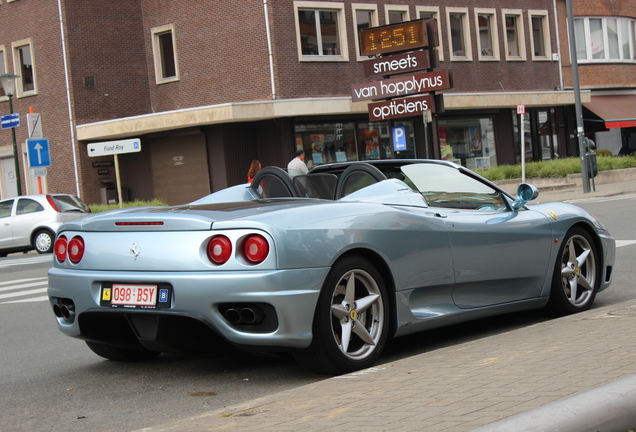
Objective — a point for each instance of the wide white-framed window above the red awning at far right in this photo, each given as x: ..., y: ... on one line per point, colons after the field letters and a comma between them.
x: 605, y: 39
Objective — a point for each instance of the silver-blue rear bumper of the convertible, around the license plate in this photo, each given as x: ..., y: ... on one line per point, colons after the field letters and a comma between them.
x: 197, y: 297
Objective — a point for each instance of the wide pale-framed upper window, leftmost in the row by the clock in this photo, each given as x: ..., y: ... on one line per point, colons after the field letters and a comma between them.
x: 321, y: 32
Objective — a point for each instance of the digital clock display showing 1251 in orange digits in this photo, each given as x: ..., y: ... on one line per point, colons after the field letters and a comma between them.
x: 393, y: 38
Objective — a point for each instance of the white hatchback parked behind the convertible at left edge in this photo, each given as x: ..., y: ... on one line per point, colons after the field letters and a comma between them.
x: 30, y: 222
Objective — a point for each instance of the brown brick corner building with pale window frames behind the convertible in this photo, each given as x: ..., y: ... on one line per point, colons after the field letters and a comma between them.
x: 209, y: 86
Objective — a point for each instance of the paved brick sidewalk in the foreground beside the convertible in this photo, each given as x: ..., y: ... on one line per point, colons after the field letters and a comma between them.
x: 457, y: 388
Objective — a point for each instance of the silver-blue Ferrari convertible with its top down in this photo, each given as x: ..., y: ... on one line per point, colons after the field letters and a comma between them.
x: 326, y: 265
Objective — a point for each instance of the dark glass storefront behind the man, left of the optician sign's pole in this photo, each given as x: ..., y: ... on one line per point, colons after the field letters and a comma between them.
x: 341, y: 142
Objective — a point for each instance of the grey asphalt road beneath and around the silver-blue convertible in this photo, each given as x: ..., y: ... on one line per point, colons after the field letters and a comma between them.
x: 51, y: 382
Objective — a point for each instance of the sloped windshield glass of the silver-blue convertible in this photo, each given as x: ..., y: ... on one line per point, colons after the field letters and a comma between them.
x: 445, y: 186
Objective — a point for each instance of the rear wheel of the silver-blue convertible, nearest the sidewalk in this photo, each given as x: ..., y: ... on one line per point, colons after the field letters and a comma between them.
x: 357, y: 309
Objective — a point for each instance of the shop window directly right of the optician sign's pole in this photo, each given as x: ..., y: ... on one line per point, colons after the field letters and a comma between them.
x: 468, y: 142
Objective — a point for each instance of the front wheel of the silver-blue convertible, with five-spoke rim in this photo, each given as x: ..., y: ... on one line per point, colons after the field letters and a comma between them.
x: 577, y: 274
